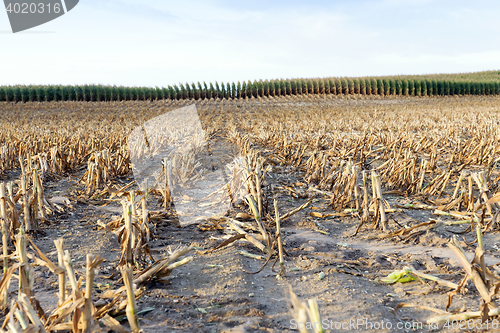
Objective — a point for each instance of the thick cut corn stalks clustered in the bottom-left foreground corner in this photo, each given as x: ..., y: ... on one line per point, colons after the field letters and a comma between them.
x: 77, y: 310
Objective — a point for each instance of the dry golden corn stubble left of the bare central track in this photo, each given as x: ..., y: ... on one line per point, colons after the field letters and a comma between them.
x: 25, y: 207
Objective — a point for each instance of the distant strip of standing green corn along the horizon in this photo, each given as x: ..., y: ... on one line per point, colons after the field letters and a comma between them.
x: 479, y: 83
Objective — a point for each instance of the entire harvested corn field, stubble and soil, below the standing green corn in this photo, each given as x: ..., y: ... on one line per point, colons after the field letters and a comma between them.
x: 359, y: 212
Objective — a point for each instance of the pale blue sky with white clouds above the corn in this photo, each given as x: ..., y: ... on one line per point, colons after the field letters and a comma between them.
x: 159, y: 43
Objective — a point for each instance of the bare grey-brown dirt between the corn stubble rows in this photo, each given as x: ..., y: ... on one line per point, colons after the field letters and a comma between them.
x: 216, y: 293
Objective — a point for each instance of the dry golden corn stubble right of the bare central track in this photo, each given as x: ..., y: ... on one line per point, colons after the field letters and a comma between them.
x: 444, y: 160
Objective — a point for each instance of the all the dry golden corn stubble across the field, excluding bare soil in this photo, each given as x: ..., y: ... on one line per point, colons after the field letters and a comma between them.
x: 340, y: 149
